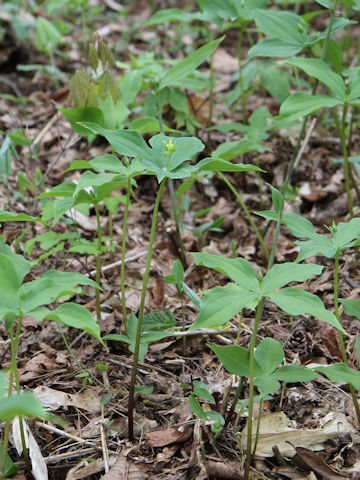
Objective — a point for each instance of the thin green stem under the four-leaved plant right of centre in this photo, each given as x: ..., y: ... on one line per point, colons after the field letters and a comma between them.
x: 259, y: 310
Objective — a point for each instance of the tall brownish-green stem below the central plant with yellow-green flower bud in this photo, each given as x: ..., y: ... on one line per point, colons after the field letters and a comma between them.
x: 141, y: 314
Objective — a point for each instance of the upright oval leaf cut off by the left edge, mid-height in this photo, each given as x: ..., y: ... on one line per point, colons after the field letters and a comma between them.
x: 10, y: 284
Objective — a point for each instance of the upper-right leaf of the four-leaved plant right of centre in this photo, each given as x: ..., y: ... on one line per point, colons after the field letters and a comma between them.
x: 282, y: 274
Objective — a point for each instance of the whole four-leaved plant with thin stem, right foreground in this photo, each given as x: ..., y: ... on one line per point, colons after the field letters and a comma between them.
x: 220, y: 304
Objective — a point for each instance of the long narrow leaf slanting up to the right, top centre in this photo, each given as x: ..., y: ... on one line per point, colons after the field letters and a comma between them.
x: 189, y: 64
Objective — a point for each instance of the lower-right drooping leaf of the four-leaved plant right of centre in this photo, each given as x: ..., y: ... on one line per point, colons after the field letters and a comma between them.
x: 296, y: 302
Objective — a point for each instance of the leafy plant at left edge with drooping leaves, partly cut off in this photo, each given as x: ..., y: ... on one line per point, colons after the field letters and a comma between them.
x: 20, y: 299
